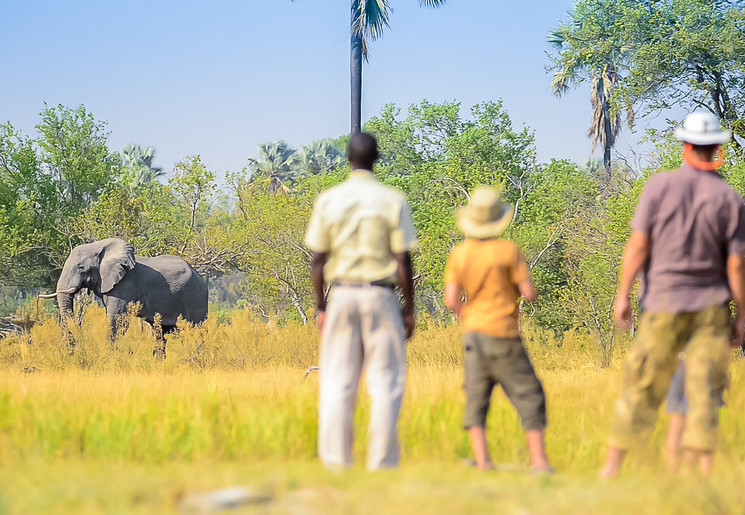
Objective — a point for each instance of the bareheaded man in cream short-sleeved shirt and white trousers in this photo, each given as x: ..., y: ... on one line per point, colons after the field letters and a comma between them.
x: 361, y: 234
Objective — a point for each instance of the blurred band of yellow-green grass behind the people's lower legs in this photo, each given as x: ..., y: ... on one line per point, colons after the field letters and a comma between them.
x: 270, y: 413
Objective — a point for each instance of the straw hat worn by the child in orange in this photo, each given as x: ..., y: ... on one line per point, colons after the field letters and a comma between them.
x: 485, y: 216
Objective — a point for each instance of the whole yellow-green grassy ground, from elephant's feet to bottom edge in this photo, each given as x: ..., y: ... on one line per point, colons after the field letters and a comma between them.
x: 107, y: 429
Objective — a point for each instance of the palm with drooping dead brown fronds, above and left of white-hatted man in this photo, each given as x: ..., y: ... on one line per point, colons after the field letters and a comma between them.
x: 606, y: 117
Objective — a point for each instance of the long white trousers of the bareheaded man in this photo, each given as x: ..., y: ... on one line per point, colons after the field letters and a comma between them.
x: 363, y: 328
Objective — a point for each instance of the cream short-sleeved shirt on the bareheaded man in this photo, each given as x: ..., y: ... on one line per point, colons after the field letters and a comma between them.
x: 361, y: 224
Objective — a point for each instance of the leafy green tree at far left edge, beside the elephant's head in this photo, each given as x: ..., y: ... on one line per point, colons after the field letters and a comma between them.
x: 46, y: 183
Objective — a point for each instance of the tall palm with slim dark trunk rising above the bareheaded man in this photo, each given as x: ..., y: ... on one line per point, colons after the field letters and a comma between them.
x: 368, y: 20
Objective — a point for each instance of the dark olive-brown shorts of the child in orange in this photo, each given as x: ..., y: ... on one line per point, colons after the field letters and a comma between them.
x: 489, y: 362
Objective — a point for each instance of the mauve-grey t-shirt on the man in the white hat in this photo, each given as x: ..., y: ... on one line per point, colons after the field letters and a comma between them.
x: 694, y: 221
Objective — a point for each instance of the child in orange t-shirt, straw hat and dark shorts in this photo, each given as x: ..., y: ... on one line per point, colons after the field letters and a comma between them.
x: 492, y: 273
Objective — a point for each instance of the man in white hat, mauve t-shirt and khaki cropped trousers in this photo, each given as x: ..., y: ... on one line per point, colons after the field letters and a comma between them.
x: 687, y: 241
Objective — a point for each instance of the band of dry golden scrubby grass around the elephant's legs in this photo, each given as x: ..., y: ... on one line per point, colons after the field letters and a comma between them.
x: 240, y: 341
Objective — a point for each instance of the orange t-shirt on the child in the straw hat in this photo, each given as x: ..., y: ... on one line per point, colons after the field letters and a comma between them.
x: 489, y: 272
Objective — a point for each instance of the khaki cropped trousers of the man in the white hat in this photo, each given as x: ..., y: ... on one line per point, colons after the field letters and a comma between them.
x: 704, y: 336
